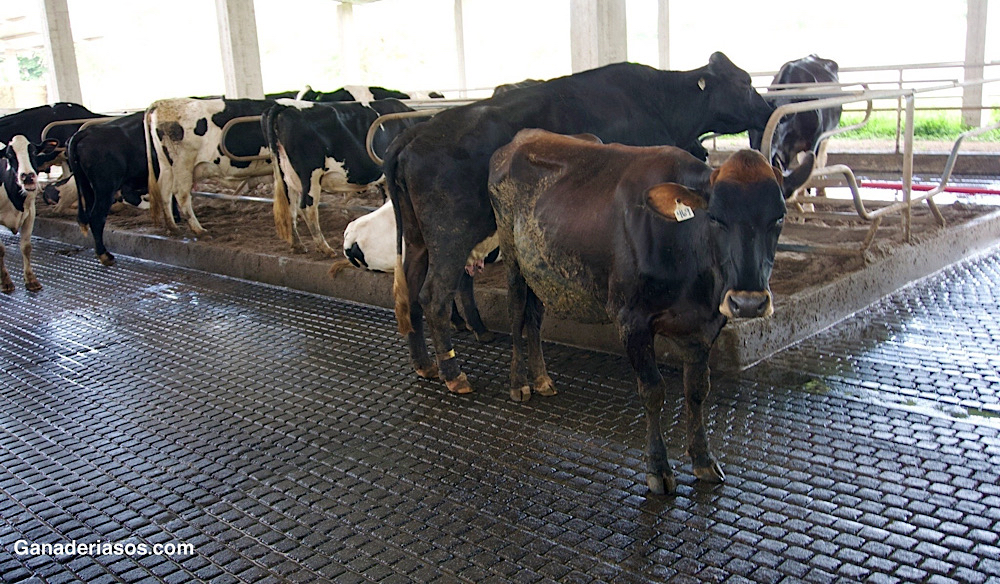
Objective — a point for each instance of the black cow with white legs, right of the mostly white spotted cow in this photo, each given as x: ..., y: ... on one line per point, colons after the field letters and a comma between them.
x: 322, y: 147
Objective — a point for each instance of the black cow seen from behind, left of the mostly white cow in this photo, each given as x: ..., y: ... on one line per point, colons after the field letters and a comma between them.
x: 107, y: 158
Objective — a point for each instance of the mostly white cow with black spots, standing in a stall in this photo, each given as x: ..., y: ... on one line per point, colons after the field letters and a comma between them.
x: 183, y: 140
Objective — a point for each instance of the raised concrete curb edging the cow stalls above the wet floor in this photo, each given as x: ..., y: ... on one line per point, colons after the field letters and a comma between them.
x: 742, y: 343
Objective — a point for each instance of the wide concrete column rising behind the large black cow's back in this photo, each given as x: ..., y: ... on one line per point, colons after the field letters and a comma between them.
x: 597, y: 33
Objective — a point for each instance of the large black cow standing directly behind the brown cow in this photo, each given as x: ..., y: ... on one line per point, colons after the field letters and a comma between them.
x: 437, y: 172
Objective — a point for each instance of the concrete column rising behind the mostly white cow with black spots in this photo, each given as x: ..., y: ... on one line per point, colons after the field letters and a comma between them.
x: 240, y: 51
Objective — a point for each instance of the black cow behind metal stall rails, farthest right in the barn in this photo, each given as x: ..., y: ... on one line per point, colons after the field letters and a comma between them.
x: 800, y: 132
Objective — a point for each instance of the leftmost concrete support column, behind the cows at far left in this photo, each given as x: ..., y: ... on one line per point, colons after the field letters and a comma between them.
x: 64, y: 78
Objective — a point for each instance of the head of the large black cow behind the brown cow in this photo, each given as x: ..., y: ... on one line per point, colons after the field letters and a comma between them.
x: 733, y: 104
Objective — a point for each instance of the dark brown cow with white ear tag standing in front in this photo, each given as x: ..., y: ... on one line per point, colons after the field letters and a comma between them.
x: 650, y: 239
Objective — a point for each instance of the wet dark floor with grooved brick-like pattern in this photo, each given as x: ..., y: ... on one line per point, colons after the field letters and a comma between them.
x: 284, y: 438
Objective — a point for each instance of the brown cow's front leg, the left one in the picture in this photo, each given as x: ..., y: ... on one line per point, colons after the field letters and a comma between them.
x: 638, y: 341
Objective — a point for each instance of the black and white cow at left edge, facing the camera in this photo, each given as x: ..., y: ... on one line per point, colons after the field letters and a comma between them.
x: 18, y: 183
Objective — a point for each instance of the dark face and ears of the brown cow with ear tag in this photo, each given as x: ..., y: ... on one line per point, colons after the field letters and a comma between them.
x: 745, y: 211
